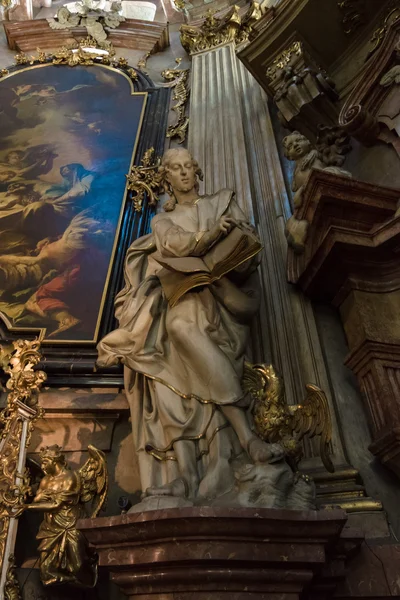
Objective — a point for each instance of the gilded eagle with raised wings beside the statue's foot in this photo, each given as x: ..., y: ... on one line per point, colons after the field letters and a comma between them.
x: 276, y: 422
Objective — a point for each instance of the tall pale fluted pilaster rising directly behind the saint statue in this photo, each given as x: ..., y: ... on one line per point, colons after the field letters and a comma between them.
x: 231, y: 136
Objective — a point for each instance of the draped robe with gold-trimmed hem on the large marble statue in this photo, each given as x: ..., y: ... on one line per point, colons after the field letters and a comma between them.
x: 182, y: 363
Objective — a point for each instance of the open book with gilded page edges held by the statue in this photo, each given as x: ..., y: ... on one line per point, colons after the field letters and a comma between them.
x: 182, y: 274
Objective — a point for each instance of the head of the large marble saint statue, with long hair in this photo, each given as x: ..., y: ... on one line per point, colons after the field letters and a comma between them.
x: 179, y: 171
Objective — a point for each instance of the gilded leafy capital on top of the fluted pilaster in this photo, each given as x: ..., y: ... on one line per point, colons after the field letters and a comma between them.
x: 215, y: 31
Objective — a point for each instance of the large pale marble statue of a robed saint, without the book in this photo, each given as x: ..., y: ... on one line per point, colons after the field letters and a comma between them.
x: 184, y: 363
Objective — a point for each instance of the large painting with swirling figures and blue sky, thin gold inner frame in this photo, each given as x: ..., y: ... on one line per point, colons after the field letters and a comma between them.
x: 68, y: 137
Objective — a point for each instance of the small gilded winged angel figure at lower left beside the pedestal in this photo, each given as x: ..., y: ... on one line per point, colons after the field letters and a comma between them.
x: 62, y: 494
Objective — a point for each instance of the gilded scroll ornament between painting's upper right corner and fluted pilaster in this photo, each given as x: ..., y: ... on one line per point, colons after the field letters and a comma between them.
x: 179, y: 80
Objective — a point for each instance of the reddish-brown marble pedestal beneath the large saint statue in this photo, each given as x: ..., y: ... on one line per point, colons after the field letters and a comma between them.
x: 202, y: 553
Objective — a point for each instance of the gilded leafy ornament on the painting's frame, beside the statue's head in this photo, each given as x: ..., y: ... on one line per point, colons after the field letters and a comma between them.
x: 145, y: 179
